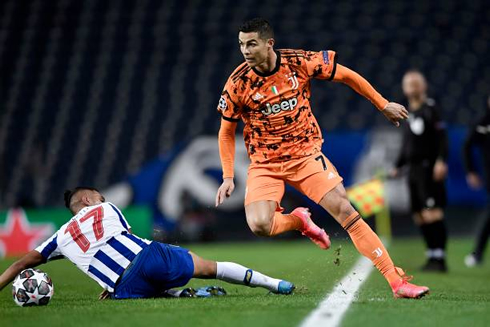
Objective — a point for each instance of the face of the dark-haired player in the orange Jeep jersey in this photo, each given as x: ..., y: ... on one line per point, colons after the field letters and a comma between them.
x: 253, y: 48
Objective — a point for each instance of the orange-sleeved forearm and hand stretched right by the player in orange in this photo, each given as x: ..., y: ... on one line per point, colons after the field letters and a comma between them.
x: 394, y: 112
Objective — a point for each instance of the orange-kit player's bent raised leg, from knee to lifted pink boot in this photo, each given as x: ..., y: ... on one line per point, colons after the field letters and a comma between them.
x: 265, y: 220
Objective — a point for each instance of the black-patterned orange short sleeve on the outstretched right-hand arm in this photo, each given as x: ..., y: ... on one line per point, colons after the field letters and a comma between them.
x: 321, y: 65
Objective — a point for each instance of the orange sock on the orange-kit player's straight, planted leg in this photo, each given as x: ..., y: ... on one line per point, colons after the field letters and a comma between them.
x: 369, y: 245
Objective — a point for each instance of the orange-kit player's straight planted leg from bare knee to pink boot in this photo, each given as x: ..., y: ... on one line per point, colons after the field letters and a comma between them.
x: 369, y: 244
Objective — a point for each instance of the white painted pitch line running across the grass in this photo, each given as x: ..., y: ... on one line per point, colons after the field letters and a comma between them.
x: 331, y: 310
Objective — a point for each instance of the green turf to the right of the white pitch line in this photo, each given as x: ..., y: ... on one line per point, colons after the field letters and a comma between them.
x: 459, y: 298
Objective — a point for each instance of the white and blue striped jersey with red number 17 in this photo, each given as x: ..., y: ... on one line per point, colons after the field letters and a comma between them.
x: 98, y: 242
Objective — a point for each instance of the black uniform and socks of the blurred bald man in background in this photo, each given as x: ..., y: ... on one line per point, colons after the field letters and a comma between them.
x: 424, y: 142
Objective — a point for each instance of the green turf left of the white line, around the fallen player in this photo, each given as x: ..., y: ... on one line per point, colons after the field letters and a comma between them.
x: 309, y: 267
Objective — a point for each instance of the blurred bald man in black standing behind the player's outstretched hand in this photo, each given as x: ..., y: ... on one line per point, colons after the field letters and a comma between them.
x: 424, y: 152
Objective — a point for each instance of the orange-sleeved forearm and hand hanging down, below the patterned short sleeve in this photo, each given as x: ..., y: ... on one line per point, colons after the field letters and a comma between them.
x: 226, y: 140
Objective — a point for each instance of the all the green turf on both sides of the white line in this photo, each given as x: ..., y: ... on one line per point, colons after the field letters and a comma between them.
x: 462, y: 296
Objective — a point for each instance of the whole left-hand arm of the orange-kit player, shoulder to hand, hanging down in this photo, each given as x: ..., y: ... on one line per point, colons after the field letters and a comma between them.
x: 230, y: 109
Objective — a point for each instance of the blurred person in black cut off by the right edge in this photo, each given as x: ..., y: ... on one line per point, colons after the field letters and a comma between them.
x: 479, y: 136
